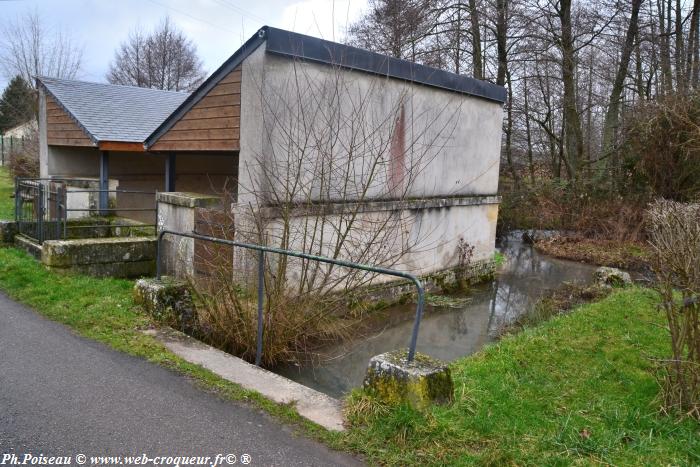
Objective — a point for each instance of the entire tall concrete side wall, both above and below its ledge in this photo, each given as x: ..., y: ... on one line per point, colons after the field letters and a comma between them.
x: 399, y: 148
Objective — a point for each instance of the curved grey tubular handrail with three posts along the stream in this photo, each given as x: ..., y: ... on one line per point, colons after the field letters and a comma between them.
x: 323, y: 259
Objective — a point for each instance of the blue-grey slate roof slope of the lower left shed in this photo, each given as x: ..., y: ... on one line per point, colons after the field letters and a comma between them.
x: 110, y: 112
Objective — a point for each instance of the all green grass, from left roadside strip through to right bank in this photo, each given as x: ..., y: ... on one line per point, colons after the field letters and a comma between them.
x: 577, y: 389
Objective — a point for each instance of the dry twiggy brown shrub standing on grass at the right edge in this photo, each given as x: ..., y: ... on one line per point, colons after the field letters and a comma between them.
x: 675, y: 239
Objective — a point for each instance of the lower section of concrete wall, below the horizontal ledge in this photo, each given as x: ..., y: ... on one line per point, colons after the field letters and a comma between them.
x: 415, y: 237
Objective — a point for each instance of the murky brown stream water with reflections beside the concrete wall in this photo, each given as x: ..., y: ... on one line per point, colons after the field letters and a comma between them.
x: 451, y: 333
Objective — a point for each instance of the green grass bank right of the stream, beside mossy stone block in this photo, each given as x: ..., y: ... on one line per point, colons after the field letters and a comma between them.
x: 576, y: 389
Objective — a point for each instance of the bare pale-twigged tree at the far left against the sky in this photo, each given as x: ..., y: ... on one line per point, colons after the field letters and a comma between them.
x: 29, y: 48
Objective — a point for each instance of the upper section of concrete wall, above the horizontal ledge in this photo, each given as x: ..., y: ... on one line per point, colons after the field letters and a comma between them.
x: 425, y: 141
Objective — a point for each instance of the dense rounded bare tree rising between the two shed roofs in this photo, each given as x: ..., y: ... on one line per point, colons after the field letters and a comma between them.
x: 165, y: 59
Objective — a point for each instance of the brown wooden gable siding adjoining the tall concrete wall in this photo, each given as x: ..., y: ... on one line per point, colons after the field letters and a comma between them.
x: 212, y: 124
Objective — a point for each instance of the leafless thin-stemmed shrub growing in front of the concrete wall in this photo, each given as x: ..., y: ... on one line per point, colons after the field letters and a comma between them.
x: 328, y: 153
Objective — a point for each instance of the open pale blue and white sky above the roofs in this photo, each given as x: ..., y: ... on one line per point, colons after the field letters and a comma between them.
x: 217, y: 27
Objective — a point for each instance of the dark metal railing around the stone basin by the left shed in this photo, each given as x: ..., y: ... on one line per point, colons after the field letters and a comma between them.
x: 42, y: 208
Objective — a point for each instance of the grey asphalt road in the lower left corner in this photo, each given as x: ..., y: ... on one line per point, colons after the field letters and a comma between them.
x: 61, y: 394
